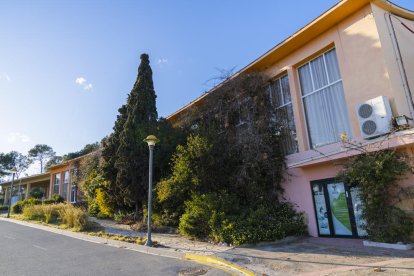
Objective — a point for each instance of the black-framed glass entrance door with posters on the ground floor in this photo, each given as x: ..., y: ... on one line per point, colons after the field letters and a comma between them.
x: 338, y: 209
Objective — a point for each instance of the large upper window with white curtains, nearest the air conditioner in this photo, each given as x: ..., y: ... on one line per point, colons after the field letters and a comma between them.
x: 323, y: 99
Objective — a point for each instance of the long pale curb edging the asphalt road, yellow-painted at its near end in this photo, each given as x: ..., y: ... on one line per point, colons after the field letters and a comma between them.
x: 206, y: 260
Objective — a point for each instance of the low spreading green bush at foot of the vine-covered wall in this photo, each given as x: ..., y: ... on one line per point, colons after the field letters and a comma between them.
x: 222, y: 219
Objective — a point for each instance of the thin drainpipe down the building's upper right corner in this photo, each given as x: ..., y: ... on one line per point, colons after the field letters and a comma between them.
x: 397, y: 53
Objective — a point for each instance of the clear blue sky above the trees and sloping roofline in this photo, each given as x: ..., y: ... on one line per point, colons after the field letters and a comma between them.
x: 67, y: 66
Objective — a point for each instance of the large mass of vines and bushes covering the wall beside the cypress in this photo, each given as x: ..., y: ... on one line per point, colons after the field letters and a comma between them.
x: 226, y: 181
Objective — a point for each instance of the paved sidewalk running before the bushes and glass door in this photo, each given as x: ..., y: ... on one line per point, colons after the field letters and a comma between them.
x: 293, y: 256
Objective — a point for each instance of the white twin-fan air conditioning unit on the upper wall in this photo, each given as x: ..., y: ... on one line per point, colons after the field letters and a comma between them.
x: 374, y: 117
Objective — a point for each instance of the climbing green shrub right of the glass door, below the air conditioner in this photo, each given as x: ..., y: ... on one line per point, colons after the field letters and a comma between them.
x: 376, y: 174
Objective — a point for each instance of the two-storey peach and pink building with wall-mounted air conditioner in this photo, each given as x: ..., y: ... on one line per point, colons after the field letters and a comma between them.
x: 351, y: 70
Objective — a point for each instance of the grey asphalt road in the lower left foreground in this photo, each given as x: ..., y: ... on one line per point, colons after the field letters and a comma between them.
x: 28, y: 251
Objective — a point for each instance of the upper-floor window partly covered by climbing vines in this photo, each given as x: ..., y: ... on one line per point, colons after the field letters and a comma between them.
x: 281, y: 100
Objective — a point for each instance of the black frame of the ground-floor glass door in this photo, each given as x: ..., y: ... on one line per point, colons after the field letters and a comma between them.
x: 324, y: 182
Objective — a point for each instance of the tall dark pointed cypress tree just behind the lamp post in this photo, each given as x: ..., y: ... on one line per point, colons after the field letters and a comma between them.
x: 131, y: 162
